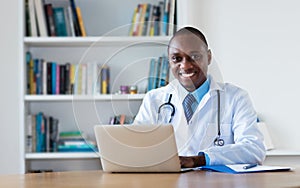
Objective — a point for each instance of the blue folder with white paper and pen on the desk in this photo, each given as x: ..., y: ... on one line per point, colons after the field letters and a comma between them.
x: 240, y: 168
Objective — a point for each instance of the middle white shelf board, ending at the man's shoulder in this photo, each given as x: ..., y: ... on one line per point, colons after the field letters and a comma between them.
x: 123, y: 97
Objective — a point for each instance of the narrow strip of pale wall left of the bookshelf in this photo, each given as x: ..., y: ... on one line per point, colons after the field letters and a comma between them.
x: 10, y: 160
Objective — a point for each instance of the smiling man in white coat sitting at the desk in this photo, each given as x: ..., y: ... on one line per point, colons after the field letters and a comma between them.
x: 216, y: 124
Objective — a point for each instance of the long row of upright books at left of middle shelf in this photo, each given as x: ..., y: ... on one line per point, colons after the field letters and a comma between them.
x: 54, y: 78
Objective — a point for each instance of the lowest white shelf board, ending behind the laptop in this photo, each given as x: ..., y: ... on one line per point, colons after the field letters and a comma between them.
x: 62, y: 155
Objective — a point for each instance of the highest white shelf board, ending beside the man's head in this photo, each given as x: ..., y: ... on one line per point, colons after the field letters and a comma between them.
x: 97, y: 41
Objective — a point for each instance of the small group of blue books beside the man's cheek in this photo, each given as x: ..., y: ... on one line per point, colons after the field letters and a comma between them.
x: 158, y: 72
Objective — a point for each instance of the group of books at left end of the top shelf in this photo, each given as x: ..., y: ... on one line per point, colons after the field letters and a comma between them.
x: 60, y: 18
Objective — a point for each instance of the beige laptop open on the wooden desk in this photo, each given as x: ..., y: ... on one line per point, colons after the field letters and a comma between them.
x: 137, y: 148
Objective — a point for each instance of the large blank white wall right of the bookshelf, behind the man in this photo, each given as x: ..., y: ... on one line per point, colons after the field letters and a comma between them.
x: 256, y: 44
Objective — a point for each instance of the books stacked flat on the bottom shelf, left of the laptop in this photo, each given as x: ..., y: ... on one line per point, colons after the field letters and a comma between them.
x: 75, y: 141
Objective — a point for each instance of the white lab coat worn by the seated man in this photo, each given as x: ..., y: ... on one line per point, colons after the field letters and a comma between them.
x: 243, y: 140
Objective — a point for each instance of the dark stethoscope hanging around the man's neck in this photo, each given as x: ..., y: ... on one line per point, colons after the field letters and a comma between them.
x: 218, y: 141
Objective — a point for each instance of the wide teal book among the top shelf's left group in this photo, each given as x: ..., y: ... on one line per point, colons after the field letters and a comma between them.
x: 60, y: 21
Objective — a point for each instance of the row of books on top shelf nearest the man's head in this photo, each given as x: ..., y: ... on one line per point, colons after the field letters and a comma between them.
x: 152, y: 20
